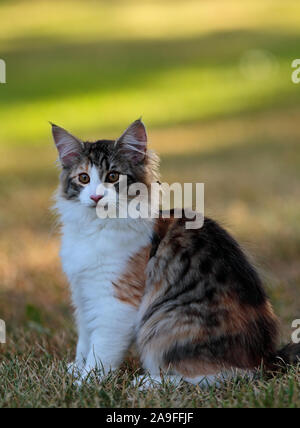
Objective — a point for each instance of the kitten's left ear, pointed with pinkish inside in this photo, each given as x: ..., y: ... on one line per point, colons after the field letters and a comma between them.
x: 69, y: 147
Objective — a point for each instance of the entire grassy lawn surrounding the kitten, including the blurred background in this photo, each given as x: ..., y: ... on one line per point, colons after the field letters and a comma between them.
x: 213, y: 83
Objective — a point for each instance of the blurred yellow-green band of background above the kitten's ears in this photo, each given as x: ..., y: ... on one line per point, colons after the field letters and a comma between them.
x: 96, y: 65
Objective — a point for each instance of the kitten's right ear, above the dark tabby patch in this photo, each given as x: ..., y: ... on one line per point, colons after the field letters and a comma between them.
x: 134, y: 141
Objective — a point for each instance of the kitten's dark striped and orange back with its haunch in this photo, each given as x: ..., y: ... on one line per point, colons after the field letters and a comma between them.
x: 203, y: 299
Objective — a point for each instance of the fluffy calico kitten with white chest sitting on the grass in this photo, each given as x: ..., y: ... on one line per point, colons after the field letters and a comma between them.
x: 189, y: 298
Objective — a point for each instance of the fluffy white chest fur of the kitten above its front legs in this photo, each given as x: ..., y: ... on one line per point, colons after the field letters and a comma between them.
x: 95, y: 254
